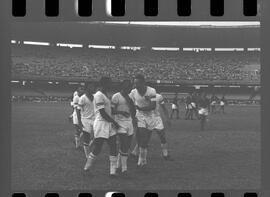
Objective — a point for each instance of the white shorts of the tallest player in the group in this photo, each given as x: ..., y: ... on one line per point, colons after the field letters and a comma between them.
x: 150, y: 122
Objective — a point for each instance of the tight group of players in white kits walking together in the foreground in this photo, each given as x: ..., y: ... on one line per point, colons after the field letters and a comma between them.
x: 133, y: 111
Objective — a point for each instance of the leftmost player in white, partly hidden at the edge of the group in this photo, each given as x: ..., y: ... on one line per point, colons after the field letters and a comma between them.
x: 74, y: 104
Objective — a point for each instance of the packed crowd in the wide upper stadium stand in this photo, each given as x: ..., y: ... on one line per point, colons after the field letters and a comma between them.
x: 47, y: 61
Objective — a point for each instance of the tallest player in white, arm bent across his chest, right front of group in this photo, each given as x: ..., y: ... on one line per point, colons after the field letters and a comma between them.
x: 144, y: 98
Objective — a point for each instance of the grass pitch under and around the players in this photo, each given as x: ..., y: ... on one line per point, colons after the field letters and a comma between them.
x: 226, y: 156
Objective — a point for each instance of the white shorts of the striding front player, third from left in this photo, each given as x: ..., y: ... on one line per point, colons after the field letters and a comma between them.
x: 103, y: 129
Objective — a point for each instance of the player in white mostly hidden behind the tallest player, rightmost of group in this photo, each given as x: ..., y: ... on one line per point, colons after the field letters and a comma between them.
x: 160, y: 129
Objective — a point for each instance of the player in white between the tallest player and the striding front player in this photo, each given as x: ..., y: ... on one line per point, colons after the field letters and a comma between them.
x: 124, y: 112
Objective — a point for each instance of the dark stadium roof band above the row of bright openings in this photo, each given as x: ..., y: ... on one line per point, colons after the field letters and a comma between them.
x: 240, y: 34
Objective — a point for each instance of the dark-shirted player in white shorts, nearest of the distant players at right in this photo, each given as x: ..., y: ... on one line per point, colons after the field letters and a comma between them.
x: 203, y: 109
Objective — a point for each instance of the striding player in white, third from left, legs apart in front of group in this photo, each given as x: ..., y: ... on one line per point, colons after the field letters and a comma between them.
x: 103, y: 127
